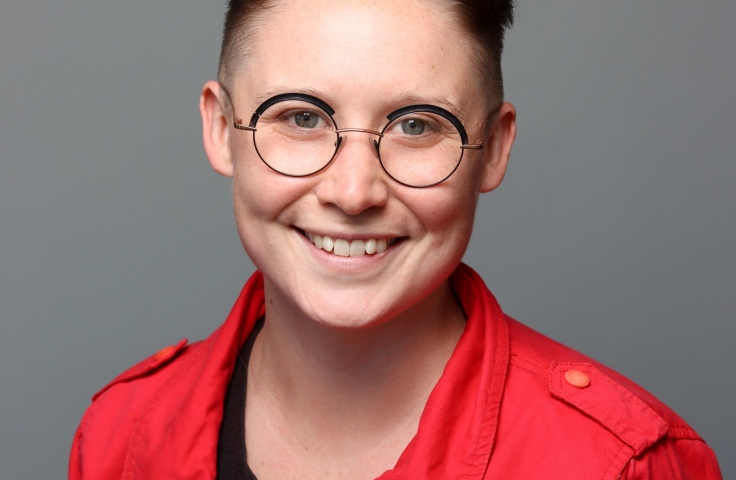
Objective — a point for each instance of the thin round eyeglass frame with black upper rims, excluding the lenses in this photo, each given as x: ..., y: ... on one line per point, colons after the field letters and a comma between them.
x: 322, y: 105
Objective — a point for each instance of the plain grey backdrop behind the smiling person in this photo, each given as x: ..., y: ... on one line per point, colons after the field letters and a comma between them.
x: 614, y: 231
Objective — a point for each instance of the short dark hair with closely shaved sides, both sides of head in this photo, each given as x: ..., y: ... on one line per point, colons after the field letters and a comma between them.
x: 485, y: 21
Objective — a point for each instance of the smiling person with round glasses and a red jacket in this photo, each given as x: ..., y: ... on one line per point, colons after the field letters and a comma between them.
x: 358, y: 136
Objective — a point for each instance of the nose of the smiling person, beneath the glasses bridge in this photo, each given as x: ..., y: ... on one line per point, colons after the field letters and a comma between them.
x: 354, y: 181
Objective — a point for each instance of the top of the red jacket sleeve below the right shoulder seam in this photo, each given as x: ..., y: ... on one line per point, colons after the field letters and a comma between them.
x: 675, y: 459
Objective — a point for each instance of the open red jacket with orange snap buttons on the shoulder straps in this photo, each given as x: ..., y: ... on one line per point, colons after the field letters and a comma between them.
x: 511, y: 404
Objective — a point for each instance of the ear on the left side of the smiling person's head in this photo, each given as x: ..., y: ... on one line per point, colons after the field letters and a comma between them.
x: 214, y: 108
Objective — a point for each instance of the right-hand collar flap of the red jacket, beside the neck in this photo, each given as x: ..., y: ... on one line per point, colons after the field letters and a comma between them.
x: 457, y: 429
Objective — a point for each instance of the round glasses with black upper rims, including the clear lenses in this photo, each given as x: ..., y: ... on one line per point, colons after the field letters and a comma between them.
x: 296, y: 135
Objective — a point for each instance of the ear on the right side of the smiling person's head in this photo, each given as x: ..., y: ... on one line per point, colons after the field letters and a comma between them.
x: 500, y: 139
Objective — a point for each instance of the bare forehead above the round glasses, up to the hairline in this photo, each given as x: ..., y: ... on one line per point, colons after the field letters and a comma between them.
x: 359, y: 53
